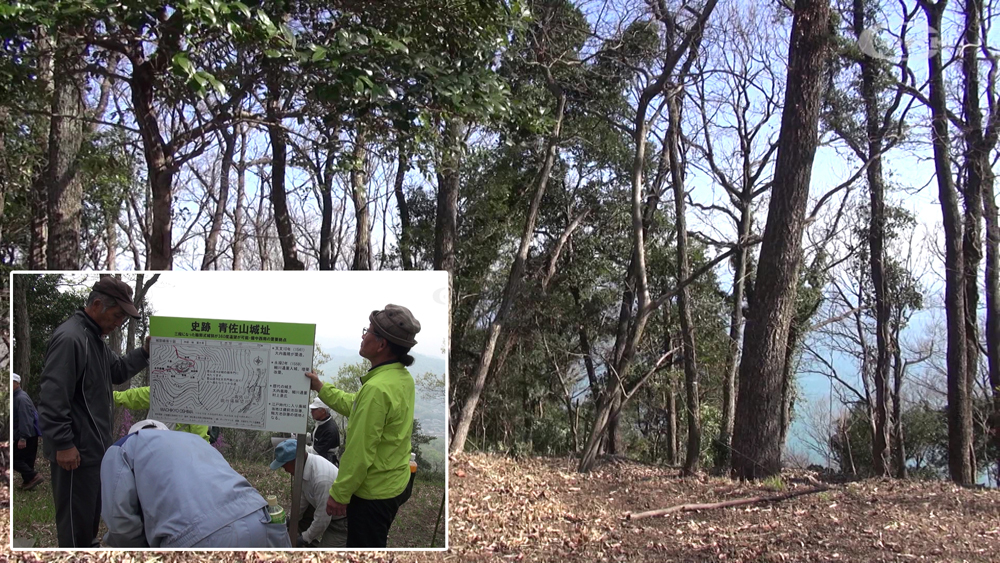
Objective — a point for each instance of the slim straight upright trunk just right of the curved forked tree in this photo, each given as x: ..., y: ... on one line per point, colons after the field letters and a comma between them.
x: 691, y: 380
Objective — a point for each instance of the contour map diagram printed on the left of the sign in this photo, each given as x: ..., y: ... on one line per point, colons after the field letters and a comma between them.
x: 221, y: 380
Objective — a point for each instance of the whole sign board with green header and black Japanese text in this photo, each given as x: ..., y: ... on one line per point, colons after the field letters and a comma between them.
x: 234, y: 374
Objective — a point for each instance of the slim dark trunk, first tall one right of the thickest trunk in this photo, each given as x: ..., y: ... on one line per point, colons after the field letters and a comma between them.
x: 876, y: 246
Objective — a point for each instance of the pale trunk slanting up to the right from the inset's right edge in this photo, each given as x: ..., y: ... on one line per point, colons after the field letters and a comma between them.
x: 513, y: 284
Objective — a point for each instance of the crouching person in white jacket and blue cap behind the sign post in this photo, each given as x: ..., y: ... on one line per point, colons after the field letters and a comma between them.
x: 318, y: 474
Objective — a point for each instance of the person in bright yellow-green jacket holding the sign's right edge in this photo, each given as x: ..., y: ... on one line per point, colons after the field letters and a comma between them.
x: 375, y: 478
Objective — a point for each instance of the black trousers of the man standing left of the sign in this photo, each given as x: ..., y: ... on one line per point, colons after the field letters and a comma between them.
x: 77, y: 496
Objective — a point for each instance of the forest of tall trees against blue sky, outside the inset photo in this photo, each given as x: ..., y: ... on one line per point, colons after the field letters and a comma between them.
x: 659, y: 217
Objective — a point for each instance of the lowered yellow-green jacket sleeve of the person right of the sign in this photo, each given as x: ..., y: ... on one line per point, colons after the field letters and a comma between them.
x: 363, y: 437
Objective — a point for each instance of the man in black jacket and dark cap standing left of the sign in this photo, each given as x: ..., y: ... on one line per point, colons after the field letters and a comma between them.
x: 75, y: 406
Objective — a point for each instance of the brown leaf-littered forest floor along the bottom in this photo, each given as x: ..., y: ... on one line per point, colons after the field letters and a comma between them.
x: 541, y: 509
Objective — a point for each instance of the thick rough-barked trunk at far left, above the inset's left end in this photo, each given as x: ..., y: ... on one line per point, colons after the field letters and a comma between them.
x: 65, y: 189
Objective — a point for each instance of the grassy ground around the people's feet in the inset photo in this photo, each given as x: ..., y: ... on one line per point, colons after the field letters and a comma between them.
x: 33, y: 512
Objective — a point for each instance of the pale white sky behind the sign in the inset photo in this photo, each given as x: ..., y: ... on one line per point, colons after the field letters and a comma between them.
x: 338, y: 303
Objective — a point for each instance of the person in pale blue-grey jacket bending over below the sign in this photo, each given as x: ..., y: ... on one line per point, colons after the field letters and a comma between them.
x: 163, y: 488
